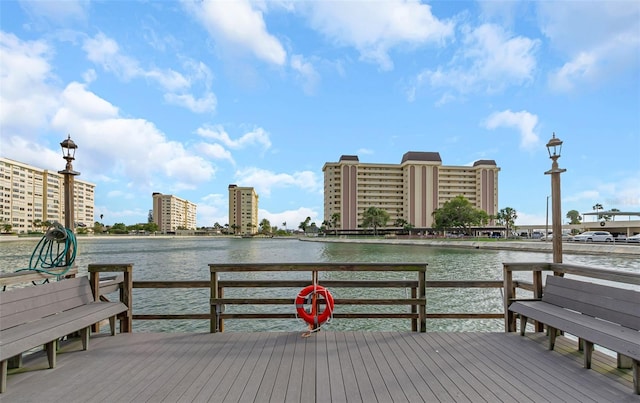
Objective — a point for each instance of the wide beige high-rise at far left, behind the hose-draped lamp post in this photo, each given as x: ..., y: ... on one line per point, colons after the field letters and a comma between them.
x: 29, y: 195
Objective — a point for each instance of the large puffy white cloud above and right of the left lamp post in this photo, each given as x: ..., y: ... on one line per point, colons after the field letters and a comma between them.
x: 133, y: 147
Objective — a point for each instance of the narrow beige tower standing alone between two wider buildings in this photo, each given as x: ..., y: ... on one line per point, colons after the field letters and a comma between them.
x: 243, y: 210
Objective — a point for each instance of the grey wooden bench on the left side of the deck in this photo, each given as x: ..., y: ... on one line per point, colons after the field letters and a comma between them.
x: 40, y: 315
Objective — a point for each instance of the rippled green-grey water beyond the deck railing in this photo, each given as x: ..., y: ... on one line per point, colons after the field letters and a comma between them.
x: 188, y: 259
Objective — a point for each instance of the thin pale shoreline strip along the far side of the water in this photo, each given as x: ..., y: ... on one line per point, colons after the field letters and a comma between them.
x: 528, y: 245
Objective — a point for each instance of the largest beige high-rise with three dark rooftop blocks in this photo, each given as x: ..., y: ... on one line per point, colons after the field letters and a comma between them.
x: 411, y: 190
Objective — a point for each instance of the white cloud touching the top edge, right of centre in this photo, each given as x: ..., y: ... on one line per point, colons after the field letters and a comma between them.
x: 374, y: 28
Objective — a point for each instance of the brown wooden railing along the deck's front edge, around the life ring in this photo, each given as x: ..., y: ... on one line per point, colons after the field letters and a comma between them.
x: 216, y: 314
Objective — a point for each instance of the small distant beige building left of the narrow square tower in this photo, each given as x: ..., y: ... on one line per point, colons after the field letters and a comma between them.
x: 171, y: 213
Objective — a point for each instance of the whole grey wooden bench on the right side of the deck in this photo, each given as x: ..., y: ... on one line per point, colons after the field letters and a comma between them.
x: 596, y: 314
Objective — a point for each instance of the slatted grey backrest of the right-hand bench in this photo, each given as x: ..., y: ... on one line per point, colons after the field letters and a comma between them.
x: 614, y: 304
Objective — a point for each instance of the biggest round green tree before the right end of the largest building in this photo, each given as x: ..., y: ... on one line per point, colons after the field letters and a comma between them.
x: 458, y: 213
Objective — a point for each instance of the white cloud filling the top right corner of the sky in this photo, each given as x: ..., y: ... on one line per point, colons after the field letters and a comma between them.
x: 600, y: 40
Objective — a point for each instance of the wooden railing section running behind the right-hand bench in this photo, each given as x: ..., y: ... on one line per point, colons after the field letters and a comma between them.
x: 536, y: 284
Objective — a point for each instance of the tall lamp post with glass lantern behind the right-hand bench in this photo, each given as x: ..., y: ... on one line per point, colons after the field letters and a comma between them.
x: 554, y: 146
